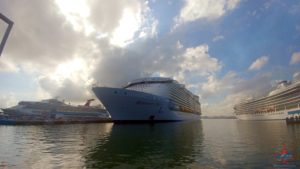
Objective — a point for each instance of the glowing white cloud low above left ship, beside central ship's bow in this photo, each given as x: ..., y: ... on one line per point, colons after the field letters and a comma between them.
x: 70, y: 80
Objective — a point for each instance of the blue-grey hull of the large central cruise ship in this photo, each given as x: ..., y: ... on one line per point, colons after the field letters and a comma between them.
x: 134, y: 106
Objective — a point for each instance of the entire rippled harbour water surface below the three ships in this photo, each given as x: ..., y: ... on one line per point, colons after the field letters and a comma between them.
x: 201, y: 144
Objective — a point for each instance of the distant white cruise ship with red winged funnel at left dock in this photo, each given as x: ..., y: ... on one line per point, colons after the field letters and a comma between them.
x: 52, y: 111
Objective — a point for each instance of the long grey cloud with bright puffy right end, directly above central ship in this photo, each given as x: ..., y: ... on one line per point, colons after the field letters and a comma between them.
x: 168, y: 58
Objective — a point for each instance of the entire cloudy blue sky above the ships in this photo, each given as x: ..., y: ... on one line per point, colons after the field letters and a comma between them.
x: 225, y: 51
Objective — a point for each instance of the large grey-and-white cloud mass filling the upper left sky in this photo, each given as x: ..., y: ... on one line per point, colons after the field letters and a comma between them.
x: 49, y: 37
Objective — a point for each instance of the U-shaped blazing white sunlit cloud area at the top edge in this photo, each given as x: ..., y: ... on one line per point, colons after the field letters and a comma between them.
x: 135, y: 22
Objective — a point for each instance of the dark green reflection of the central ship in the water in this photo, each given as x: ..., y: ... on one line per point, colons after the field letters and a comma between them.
x: 162, y: 145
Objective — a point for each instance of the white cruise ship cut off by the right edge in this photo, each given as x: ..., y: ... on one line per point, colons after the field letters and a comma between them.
x: 277, y: 105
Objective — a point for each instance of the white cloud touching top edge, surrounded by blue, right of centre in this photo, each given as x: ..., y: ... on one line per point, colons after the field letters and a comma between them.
x: 204, y: 9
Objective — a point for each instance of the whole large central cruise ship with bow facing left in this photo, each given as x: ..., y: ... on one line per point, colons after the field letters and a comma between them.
x: 150, y: 99
